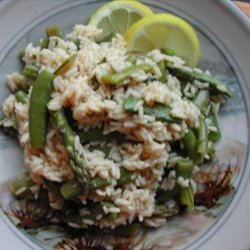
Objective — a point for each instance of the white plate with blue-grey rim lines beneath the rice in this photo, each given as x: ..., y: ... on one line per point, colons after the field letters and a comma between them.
x: 225, y: 52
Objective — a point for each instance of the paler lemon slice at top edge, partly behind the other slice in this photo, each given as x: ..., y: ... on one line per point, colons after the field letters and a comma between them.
x: 118, y: 16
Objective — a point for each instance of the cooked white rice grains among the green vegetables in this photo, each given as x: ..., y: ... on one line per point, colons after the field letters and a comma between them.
x: 146, y: 157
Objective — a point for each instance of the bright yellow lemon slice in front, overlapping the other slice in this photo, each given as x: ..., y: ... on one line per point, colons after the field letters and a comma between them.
x: 164, y: 31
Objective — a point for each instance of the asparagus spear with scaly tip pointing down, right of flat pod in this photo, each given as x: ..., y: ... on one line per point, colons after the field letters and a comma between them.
x: 77, y: 163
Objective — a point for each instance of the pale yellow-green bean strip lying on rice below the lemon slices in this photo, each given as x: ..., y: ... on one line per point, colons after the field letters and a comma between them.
x: 119, y: 77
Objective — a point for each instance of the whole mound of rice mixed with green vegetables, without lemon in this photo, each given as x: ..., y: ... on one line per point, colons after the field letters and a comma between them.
x: 118, y: 129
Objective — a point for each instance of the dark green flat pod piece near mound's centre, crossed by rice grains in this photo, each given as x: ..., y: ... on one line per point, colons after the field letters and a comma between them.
x: 160, y: 111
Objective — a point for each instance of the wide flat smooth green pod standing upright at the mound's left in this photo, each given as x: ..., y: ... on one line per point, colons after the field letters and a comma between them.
x: 39, y: 99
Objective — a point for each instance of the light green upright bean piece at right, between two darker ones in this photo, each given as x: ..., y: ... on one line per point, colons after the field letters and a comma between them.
x: 202, y: 141
